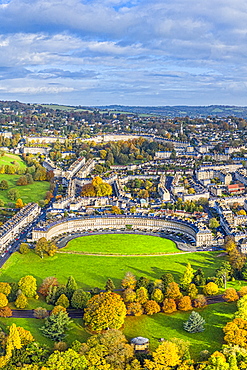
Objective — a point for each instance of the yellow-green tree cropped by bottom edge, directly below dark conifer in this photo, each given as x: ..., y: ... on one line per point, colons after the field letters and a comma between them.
x: 68, y: 360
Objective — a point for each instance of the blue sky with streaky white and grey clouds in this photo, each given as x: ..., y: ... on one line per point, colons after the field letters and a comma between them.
x: 136, y: 52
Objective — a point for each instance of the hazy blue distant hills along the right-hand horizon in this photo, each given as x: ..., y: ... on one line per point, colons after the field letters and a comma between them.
x: 181, y: 110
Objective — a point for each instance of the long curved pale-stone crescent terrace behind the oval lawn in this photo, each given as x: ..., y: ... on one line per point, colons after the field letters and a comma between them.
x: 200, y: 237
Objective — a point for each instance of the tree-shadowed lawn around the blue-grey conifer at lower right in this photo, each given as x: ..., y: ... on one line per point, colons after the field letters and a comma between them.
x: 171, y: 326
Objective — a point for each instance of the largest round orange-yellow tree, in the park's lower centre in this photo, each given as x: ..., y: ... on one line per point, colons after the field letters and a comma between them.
x: 105, y: 310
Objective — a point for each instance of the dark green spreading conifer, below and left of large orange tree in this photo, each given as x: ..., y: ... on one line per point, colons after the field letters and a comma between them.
x: 55, y: 326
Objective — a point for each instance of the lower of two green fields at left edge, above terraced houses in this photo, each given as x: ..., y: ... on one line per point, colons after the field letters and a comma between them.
x: 28, y: 193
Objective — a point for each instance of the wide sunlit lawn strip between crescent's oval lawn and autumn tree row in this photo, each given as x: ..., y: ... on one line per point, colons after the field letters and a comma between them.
x: 92, y: 271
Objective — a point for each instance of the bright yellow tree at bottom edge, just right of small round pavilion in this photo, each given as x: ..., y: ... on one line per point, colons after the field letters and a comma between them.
x: 165, y: 357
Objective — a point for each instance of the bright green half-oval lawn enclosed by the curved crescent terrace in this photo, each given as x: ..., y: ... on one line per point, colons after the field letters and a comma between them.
x: 122, y: 244
